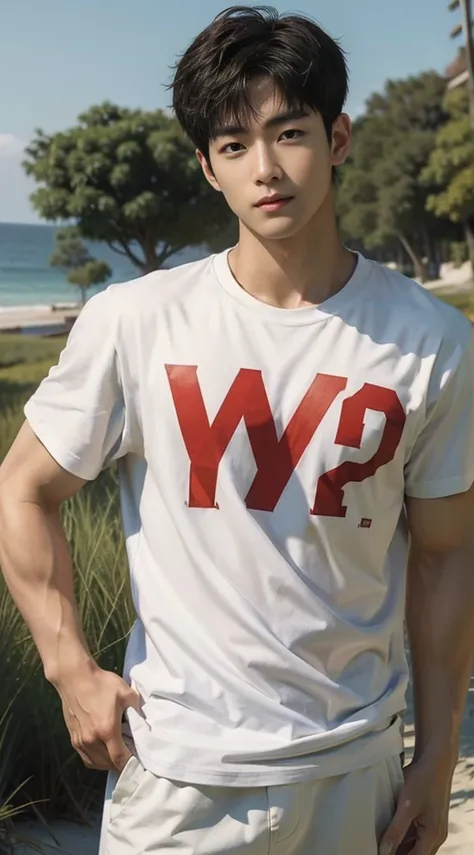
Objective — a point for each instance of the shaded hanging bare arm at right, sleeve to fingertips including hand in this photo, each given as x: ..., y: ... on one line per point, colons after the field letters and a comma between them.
x: 440, y: 621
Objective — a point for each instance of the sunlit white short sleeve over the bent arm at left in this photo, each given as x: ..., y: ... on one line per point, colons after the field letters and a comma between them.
x: 78, y: 412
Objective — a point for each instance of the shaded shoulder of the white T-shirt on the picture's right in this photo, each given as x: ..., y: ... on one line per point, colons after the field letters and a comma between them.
x: 419, y: 314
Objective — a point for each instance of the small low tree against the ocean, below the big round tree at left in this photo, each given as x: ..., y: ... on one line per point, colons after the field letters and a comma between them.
x: 72, y: 254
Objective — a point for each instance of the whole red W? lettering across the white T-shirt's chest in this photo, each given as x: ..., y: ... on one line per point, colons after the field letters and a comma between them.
x: 276, y: 459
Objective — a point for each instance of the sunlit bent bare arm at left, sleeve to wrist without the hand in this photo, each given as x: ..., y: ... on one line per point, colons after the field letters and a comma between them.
x: 34, y: 553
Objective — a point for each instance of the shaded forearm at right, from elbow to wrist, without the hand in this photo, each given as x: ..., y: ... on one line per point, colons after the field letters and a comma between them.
x: 440, y: 622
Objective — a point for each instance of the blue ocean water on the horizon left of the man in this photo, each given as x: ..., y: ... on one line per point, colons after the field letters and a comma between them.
x: 27, y: 279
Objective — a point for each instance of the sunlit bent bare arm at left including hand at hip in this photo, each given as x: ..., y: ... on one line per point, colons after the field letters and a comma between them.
x: 36, y: 562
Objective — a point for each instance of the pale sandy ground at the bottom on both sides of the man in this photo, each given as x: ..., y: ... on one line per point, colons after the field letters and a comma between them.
x: 78, y: 840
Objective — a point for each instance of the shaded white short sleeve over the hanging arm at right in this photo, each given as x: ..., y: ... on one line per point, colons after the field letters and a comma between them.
x: 442, y: 459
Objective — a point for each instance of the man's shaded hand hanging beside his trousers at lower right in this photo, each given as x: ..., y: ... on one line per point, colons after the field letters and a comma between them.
x: 420, y: 824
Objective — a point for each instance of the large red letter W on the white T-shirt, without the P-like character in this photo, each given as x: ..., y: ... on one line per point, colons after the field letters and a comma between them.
x: 246, y: 399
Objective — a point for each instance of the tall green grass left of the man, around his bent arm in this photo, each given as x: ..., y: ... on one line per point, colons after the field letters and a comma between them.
x: 37, y: 762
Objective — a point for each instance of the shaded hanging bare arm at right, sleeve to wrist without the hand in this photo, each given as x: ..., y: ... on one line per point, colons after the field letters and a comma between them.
x: 440, y: 618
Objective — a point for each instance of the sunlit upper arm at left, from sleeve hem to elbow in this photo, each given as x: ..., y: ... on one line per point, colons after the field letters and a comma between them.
x: 30, y: 472
